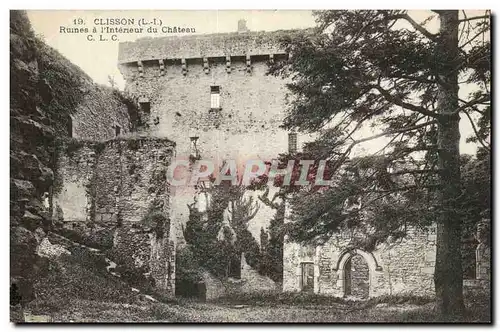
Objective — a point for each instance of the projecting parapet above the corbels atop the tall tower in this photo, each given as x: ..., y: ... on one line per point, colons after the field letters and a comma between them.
x: 203, y: 46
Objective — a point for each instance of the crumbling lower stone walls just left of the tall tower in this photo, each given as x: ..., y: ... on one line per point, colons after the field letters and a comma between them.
x: 108, y: 182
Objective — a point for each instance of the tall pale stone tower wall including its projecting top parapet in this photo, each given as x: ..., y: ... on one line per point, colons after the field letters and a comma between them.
x: 252, y: 103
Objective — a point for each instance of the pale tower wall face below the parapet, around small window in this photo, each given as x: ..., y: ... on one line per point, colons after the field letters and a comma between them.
x: 246, y: 127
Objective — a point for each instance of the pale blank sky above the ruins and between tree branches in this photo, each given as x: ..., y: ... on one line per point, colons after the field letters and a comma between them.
x: 99, y: 59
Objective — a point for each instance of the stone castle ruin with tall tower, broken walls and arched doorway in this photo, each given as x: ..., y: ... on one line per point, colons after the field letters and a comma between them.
x: 207, y: 96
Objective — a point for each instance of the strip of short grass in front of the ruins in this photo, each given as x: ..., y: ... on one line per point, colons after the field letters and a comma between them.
x: 77, y: 310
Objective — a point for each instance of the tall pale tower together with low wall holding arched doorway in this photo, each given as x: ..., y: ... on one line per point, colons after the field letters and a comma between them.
x: 211, y: 95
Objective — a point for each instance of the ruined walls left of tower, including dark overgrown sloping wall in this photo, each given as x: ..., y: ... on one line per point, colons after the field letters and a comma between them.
x: 77, y: 170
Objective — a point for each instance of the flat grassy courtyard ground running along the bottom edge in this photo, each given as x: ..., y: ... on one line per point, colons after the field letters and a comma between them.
x: 146, y: 310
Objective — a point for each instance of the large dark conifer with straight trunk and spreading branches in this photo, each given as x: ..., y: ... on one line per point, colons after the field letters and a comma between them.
x: 385, y: 69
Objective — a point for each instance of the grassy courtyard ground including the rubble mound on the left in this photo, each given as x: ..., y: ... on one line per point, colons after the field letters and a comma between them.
x: 78, y: 286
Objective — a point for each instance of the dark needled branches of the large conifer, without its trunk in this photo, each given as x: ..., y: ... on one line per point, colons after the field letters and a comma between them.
x: 357, y: 71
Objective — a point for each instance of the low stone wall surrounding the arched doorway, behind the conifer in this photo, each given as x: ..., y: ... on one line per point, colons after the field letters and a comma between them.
x: 405, y: 266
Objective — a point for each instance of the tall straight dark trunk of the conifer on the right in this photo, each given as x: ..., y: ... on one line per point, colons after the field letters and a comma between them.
x: 448, y: 272
